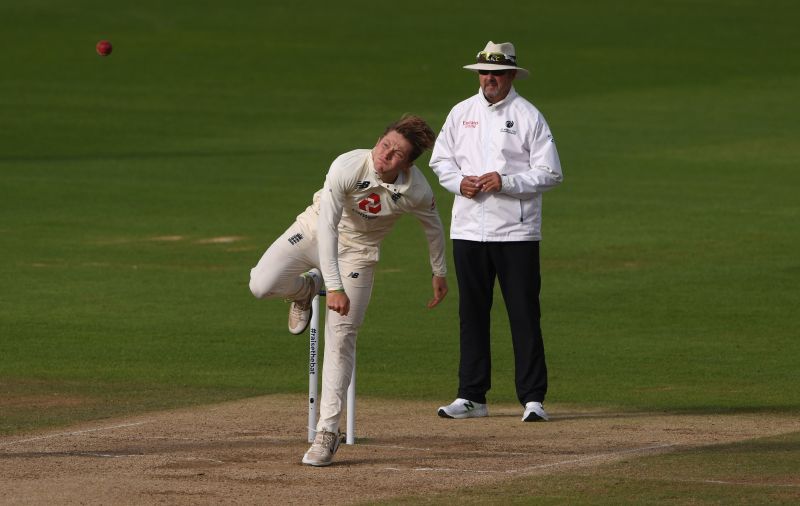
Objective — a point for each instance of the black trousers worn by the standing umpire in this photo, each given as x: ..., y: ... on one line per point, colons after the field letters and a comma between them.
x: 516, y: 266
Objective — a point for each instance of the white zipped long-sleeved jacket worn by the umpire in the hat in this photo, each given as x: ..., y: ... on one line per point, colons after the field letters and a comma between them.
x: 511, y: 138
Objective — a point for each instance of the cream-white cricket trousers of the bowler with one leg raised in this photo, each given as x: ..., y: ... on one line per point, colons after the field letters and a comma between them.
x: 277, y: 274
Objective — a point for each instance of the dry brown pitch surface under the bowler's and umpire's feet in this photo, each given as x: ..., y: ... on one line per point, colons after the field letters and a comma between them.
x: 248, y: 452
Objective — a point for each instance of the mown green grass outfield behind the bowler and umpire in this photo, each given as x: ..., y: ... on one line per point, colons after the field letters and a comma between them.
x: 137, y: 190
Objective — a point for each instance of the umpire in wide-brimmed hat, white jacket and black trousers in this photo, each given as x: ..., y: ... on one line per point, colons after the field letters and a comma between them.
x: 495, y: 152
